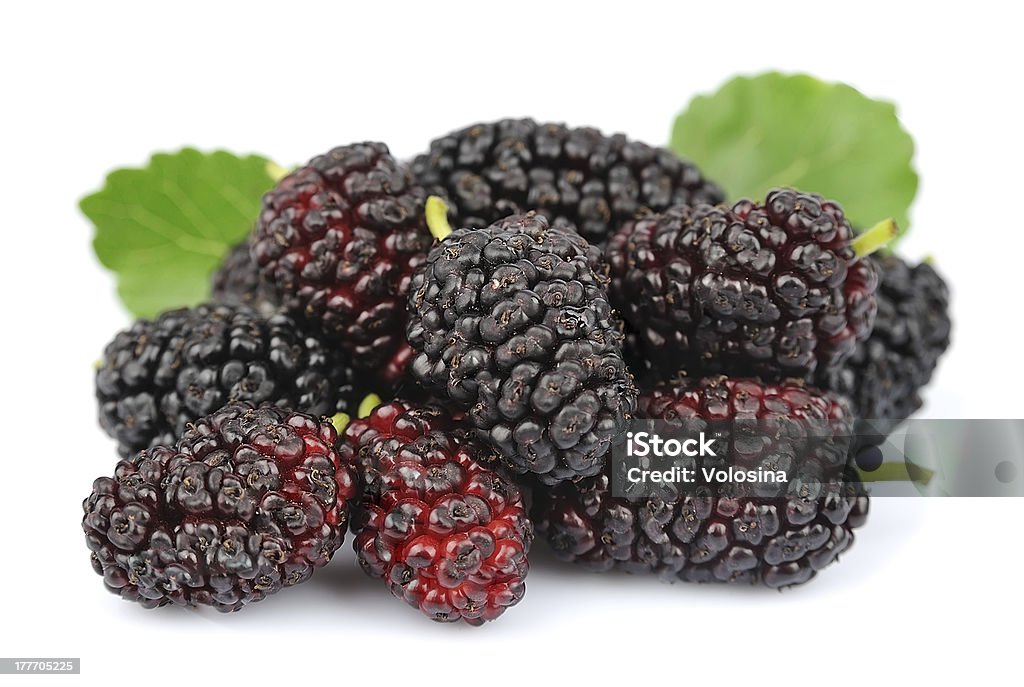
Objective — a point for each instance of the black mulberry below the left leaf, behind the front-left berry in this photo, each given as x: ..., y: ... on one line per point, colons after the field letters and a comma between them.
x: 160, y: 375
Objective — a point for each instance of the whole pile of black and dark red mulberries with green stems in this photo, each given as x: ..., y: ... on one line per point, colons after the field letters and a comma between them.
x: 447, y: 357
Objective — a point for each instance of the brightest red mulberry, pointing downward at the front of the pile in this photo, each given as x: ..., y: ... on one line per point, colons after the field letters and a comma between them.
x: 448, y: 535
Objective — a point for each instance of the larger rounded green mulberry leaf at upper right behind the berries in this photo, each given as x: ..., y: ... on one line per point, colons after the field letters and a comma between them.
x: 756, y: 134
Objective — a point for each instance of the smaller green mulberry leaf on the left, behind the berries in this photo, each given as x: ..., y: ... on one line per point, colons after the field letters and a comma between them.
x: 164, y: 229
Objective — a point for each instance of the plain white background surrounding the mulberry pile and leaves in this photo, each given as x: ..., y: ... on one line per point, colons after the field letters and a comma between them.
x: 932, y: 588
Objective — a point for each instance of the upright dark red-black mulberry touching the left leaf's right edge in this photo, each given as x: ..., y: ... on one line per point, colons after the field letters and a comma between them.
x: 339, y: 239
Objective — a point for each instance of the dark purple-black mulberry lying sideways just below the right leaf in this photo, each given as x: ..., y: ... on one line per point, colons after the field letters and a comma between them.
x: 774, y: 290
